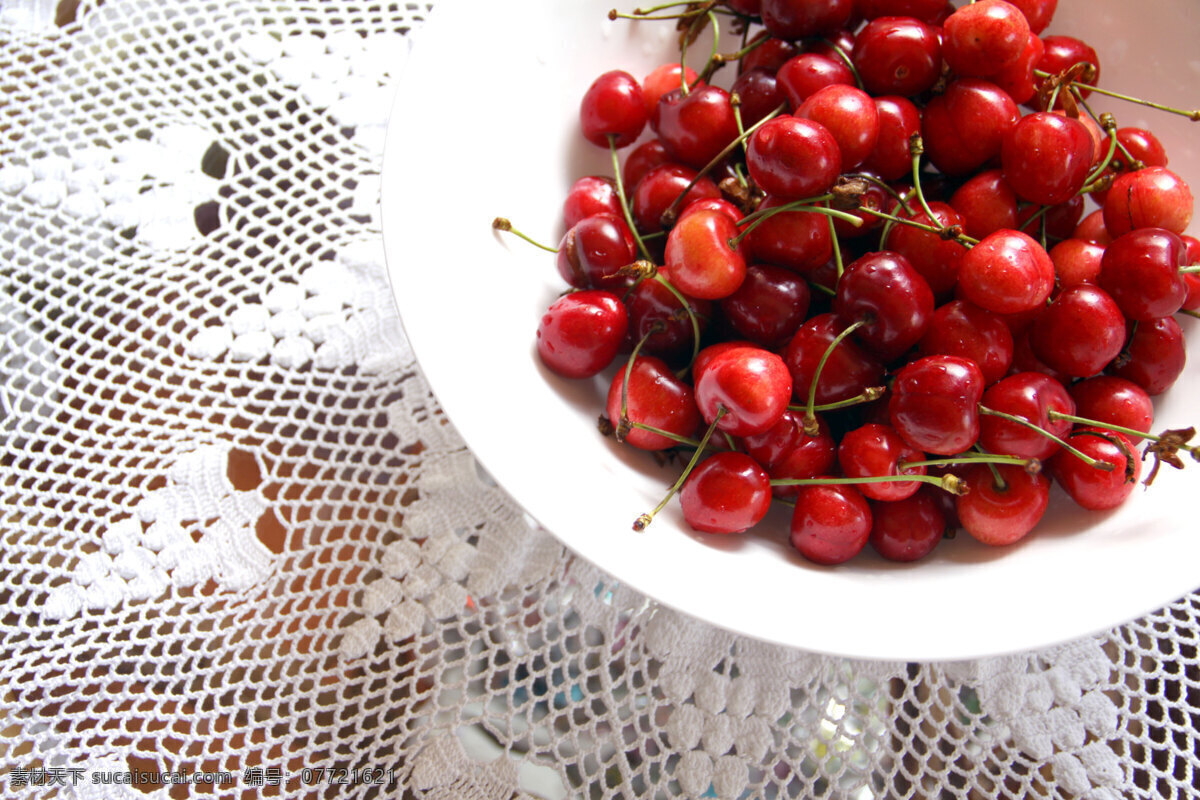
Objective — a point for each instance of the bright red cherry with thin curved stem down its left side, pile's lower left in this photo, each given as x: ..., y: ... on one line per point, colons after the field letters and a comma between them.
x: 656, y: 398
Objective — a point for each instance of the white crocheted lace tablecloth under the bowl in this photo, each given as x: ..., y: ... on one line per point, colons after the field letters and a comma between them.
x: 242, y: 543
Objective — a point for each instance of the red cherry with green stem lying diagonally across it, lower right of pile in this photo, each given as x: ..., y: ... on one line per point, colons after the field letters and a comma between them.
x: 1030, y: 396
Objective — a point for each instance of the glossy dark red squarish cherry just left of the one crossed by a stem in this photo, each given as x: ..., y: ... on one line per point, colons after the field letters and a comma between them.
x: 935, y: 404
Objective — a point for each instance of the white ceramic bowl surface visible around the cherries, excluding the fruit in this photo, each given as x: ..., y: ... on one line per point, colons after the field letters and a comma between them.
x: 485, y: 125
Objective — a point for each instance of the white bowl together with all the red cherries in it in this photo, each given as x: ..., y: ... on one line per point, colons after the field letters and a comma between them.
x: 853, y: 326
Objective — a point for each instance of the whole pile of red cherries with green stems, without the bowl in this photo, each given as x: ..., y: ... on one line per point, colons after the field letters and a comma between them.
x: 866, y: 280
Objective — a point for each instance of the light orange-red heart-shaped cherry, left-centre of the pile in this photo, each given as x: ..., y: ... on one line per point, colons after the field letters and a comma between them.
x: 703, y: 264
